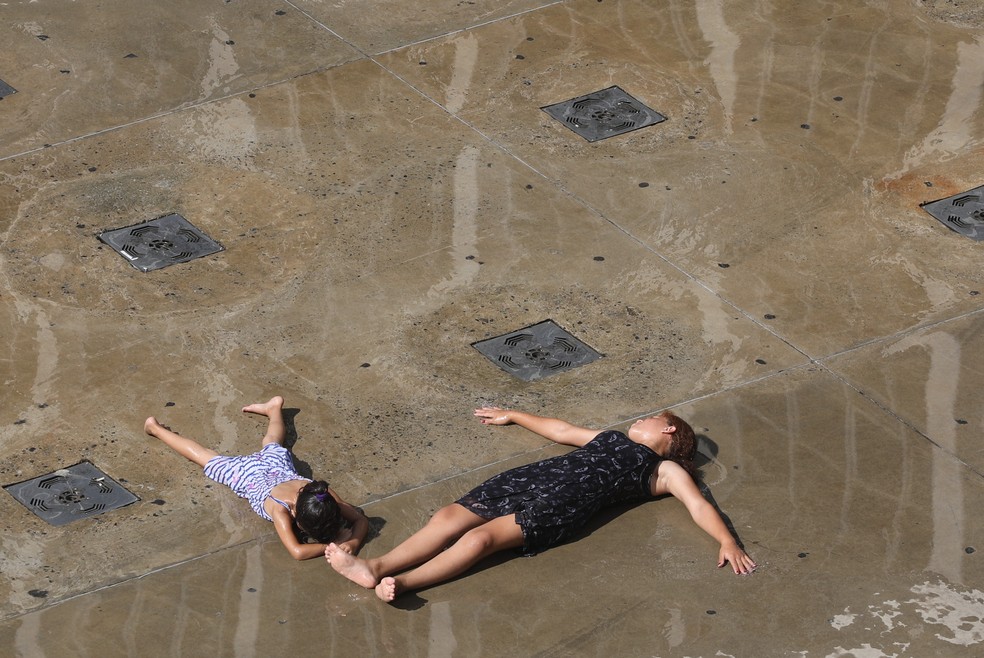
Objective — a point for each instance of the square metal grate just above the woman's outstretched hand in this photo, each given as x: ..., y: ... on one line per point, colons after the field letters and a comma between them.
x: 536, y: 352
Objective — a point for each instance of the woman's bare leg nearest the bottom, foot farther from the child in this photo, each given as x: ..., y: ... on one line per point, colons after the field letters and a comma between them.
x: 478, y: 543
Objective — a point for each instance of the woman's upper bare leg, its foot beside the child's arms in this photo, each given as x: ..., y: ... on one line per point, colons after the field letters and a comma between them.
x: 447, y: 525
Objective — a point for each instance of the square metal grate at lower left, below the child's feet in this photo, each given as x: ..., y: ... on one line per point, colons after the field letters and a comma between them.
x: 70, y: 494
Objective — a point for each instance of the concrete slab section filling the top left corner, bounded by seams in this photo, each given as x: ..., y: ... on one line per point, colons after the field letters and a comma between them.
x: 83, y: 68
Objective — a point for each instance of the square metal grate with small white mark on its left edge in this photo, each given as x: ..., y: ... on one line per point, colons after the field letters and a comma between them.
x: 160, y: 242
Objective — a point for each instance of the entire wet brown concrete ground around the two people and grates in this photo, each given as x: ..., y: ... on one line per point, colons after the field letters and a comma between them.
x: 388, y: 191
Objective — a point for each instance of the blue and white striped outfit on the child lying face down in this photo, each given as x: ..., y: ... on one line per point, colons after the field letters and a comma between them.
x: 254, y: 476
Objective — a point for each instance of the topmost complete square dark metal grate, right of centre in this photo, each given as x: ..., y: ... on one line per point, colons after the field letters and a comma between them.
x: 603, y: 114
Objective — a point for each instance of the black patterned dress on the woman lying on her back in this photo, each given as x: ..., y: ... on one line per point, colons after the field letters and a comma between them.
x: 555, y: 497
